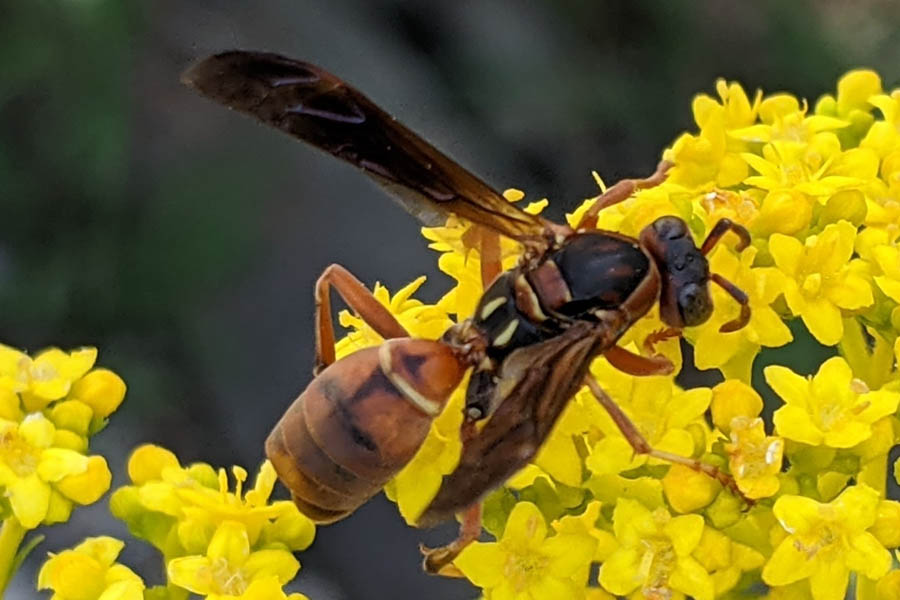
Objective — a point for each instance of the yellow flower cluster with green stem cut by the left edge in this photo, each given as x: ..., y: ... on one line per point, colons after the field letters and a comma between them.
x: 50, y: 406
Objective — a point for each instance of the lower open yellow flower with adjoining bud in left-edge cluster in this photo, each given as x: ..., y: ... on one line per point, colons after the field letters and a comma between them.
x: 42, y: 481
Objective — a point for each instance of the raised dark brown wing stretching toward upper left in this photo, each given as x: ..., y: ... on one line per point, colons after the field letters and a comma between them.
x: 320, y: 109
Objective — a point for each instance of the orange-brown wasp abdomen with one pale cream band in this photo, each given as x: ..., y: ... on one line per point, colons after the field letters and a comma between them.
x: 359, y: 422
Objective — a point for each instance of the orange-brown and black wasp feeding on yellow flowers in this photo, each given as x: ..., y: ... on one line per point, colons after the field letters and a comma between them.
x: 529, y: 345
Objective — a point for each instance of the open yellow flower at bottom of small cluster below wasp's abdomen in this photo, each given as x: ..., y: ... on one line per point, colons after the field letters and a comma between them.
x: 230, y: 571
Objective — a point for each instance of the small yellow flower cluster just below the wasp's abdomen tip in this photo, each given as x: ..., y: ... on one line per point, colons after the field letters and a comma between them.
x: 222, y: 544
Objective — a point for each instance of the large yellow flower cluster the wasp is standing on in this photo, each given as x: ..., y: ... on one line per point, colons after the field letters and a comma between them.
x: 819, y: 190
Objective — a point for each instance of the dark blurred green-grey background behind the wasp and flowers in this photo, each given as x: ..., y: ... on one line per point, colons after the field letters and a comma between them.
x: 184, y: 241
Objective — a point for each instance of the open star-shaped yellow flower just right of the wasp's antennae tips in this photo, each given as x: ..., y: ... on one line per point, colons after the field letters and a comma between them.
x: 821, y: 279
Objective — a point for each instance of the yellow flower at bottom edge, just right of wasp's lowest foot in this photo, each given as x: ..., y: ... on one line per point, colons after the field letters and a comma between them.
x: 526, y: 564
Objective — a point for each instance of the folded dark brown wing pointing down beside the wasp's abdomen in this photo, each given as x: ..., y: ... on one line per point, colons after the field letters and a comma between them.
x: 541, y: 379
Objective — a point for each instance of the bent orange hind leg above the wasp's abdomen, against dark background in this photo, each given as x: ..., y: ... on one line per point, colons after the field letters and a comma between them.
x: 360, y: 300
